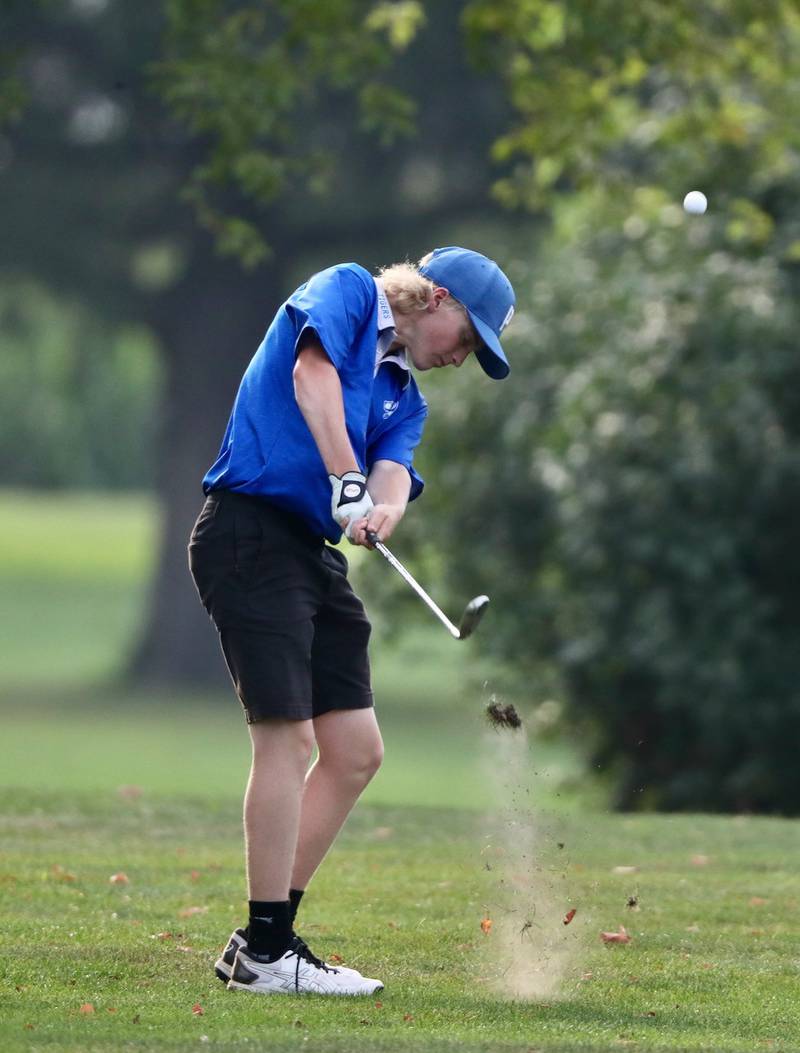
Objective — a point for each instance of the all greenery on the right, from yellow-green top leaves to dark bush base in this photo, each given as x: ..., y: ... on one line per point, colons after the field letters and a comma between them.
x: 648, y: 450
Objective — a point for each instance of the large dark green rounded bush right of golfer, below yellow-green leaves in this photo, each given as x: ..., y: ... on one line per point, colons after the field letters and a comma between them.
x: 645, y: 471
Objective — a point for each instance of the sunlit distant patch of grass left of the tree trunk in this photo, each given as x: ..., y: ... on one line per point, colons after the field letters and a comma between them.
x: 73, y: 577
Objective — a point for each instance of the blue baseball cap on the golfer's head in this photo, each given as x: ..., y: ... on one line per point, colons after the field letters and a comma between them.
x: 486, y: 292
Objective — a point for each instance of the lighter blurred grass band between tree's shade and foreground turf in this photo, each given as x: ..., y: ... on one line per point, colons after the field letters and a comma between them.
x: 178, y: 746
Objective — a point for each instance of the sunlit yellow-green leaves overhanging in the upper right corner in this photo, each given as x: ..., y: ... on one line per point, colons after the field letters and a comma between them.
x: 614, y: 96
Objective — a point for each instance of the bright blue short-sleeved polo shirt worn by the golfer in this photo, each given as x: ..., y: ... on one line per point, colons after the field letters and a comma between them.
x: 268, y: 449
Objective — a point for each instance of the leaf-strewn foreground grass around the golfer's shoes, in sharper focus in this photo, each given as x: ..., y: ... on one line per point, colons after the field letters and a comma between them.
x: 712, y: 964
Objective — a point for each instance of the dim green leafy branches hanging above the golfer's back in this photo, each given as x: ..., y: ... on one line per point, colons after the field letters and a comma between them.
x: 254, y: 83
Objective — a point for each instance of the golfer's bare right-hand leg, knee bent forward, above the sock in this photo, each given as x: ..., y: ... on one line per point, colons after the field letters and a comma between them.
x: 351, y: 751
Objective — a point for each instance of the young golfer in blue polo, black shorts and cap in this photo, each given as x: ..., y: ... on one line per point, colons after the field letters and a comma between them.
x: 321, y: 442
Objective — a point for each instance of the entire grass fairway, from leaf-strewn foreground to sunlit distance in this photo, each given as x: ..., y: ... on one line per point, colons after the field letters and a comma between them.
x: 96, y: 783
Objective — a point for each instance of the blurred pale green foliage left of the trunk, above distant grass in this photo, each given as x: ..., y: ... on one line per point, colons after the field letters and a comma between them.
x: 77, y: 398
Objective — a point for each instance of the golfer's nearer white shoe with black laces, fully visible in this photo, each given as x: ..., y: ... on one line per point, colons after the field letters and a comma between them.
x: 297, y: 972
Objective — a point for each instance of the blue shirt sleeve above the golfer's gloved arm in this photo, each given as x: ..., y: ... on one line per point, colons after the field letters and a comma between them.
x: 336, y: 304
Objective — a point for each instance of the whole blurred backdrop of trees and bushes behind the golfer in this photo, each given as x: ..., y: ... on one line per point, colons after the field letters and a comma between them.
x: 628, y: 499
